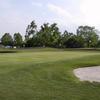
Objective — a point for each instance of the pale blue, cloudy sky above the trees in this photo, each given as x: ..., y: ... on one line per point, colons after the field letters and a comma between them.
x: 15, y: 15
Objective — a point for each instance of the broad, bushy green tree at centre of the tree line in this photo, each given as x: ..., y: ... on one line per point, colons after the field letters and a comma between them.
x: 49, y: 35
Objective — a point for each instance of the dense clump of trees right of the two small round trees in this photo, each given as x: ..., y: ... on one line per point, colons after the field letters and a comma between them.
x: 50, y: 36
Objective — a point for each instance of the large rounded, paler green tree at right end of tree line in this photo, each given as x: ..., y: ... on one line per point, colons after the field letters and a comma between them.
x: 89, y: 35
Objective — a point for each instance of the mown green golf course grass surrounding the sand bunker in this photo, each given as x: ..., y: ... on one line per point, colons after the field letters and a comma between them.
x: 46, y: 74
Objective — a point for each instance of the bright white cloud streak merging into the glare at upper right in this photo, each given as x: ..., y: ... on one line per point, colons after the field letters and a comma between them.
x: 88, y: 14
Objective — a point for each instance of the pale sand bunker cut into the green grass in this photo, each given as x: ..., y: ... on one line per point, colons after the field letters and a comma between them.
x: 91, y: 74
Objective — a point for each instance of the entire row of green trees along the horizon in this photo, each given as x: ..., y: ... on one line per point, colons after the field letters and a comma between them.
x: 49, y: 35
